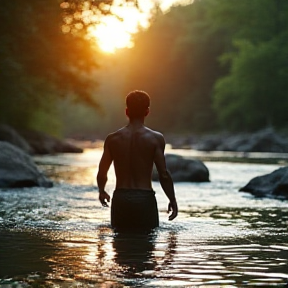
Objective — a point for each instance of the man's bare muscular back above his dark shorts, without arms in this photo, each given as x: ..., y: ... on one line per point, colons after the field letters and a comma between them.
x: 134, y: 150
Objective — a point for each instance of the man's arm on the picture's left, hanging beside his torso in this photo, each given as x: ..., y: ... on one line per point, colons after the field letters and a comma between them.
x: 102, y: 178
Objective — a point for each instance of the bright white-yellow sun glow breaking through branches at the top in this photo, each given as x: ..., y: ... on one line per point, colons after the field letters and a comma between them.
x: 115, y: 30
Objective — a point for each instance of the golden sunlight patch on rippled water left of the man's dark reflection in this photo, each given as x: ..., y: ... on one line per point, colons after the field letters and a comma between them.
x: 84, y: 257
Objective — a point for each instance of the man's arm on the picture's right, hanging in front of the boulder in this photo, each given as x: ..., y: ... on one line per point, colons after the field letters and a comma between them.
x: 165, y: 177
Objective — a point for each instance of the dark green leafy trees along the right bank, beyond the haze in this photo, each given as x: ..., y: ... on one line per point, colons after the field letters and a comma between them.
x: 254, y: 93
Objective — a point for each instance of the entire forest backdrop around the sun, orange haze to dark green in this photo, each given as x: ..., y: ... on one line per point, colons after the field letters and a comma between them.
x: 213, y: 65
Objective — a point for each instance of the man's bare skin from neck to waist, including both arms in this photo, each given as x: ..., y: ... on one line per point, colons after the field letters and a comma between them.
x: 133, y: 150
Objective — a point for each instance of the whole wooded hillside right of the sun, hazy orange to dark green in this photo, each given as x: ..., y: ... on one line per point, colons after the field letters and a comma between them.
x: 216, y: 64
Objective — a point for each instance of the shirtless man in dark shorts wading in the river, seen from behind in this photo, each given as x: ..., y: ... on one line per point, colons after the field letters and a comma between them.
x: 134, y: 149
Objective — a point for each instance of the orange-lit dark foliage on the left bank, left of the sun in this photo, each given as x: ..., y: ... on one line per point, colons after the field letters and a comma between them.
x: 39, y: 64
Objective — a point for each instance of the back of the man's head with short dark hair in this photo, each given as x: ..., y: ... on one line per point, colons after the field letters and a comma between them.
x: 137, y: 103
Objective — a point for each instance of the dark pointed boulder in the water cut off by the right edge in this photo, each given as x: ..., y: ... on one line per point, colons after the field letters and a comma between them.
x: 274, y: 184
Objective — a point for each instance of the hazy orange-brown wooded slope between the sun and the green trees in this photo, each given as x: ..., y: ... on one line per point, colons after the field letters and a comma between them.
x: 176, y: 62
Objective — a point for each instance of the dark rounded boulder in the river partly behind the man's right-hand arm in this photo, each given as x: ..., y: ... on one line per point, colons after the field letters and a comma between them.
x: 184, y: 170
